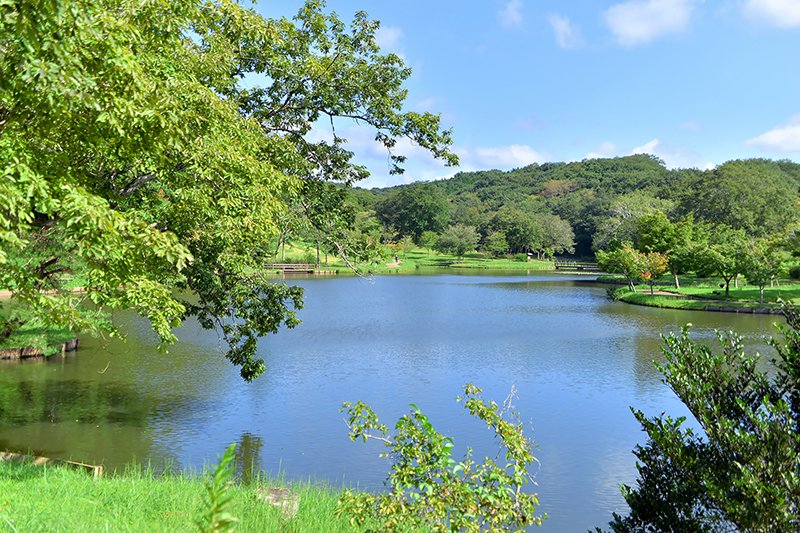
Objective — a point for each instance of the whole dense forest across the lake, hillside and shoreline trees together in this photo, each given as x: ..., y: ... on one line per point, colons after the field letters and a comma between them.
x: 581, y: 207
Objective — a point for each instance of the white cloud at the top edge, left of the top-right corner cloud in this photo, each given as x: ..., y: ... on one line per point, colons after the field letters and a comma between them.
x: 641, y: 21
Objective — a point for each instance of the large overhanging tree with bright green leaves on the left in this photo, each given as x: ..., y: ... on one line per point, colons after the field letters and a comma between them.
x: 130, y: 143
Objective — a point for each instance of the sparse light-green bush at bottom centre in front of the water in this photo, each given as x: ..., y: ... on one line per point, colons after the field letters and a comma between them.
x: 430, y: 489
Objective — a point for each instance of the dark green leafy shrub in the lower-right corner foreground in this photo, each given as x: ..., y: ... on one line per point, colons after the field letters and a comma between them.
x: 741, y: 471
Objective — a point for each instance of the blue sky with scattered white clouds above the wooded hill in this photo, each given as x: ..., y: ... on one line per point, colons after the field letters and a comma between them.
x: 693, y: 82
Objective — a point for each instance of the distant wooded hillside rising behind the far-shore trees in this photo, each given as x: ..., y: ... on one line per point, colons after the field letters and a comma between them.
x: 757, y: 195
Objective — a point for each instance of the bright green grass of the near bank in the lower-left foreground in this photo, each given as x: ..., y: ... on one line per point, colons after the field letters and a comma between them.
x: 54, y: 498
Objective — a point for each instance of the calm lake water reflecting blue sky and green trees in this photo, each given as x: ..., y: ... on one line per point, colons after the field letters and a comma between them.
x: 578, y: 361
